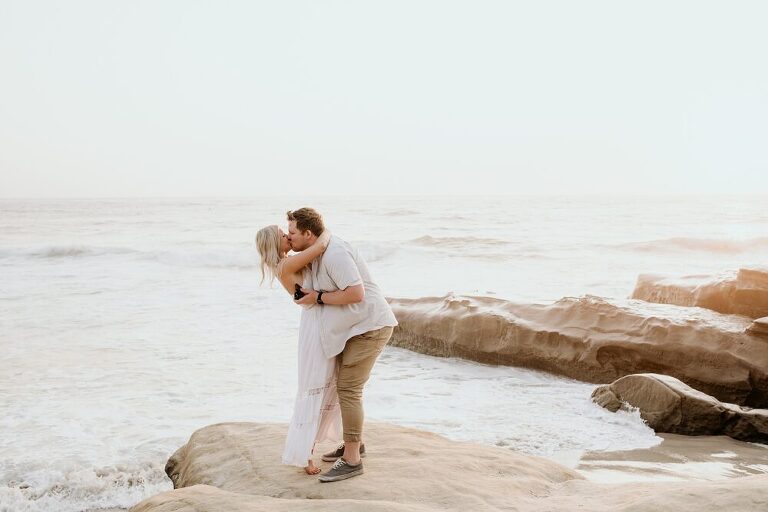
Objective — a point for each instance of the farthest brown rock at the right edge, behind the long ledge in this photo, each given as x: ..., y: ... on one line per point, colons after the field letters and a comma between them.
x: 744, y: 292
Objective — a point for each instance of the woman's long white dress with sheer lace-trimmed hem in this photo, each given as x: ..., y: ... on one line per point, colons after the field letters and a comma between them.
x: 316, y: 413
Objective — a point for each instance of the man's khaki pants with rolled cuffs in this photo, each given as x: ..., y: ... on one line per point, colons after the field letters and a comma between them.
x: 355, y: 364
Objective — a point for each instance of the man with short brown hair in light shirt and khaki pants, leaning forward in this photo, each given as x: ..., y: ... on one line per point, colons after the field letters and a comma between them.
x: 356, y: 324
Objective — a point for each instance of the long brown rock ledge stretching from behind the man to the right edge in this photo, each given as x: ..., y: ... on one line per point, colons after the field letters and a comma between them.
x: 593, y: 340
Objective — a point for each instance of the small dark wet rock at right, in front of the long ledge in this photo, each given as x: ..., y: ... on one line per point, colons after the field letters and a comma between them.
x: 668, y: 405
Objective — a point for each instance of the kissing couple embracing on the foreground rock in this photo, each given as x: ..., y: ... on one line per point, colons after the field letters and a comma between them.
x: 345, y: 324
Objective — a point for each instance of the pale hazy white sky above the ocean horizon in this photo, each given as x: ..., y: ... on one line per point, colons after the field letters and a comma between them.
x: 187, y: 98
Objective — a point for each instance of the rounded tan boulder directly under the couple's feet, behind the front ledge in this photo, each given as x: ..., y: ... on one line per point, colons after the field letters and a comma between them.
x: 403, y: 466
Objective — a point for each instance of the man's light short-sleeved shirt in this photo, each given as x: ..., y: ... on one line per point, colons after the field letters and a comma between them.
x: 339, y: 267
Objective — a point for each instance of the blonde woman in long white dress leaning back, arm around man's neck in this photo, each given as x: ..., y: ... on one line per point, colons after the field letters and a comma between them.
x: 316, y: 413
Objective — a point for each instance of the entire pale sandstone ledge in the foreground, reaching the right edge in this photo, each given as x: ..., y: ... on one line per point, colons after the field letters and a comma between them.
x: 235, y: 467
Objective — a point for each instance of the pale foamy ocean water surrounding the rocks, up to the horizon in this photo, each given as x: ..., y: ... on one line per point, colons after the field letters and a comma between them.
x: 126, y: 324
